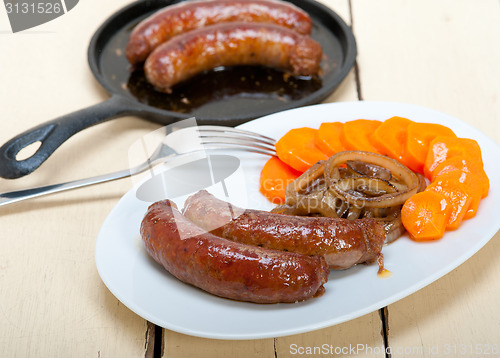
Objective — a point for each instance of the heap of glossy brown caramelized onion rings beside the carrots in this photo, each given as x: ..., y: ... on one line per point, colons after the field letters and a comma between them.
x: 354, y: 185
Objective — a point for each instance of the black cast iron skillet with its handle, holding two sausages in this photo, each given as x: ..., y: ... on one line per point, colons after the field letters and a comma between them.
x: 225, y: 97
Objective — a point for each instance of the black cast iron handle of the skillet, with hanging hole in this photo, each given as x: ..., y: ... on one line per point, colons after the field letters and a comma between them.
x: 55, y: 132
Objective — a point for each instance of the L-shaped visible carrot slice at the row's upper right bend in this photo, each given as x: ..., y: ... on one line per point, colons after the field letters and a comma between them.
x: 418, y: 138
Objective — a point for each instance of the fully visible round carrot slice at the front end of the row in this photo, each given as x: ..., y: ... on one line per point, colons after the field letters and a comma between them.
x: 425, y: 215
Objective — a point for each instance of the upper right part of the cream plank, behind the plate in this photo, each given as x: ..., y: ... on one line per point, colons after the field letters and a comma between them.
x: 440, y: 54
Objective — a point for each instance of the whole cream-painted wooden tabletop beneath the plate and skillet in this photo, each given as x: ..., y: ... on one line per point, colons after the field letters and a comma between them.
x: 443, y: 54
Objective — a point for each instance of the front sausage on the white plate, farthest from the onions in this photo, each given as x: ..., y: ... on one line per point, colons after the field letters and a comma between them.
x: 225, y: 268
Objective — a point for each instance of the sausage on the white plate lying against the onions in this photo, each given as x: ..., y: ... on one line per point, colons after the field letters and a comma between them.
x: 343, y: 243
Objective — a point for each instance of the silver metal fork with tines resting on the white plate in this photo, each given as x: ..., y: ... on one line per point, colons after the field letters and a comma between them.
x: 181, y: 142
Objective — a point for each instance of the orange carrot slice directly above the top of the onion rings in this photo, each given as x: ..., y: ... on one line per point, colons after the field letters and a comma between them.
x: 357, y: 133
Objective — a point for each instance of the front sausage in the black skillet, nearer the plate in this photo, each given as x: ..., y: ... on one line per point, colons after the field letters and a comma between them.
x: 231, y: 44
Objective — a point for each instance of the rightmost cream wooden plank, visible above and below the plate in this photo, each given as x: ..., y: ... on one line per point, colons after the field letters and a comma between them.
x: 443, y: 55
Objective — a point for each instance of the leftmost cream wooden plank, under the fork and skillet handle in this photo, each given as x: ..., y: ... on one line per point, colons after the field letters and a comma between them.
x: 52, y: 300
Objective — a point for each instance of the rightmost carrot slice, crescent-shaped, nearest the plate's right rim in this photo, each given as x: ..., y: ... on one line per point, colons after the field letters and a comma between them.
x: 464, y: 165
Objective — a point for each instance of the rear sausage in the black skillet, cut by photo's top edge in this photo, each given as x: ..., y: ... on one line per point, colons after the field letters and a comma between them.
x: 189, y: 15
